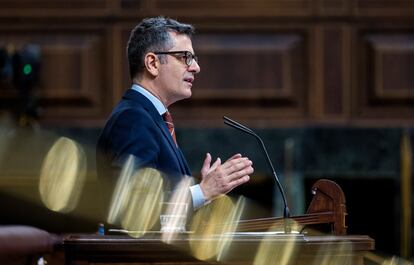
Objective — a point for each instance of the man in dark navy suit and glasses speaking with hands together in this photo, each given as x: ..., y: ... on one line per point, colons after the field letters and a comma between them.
x: 162, y: 67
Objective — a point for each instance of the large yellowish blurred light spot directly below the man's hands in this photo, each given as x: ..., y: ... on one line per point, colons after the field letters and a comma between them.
x: 213, y: 226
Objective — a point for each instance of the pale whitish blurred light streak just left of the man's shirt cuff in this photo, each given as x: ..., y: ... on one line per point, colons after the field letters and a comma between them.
x: 174, y: 212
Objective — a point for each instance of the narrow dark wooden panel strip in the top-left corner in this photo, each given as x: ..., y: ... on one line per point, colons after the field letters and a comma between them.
x: 55, y: 8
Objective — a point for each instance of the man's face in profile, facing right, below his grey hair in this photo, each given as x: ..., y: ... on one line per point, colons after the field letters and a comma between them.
x: 175, y: 77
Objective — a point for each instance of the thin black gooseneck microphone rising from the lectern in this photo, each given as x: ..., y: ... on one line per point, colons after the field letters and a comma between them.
x: 240, y: 127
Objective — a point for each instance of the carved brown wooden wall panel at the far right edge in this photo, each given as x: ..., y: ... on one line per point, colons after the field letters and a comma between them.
x: 385, y: 76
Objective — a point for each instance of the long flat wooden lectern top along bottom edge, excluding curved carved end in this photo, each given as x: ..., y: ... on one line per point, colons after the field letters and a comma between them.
x: 243, y: 249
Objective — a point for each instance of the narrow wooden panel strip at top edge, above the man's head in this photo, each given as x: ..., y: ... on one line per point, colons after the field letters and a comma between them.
x: 232, y: 8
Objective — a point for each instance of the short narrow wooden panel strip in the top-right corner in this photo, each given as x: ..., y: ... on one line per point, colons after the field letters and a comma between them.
x: 386, y: 8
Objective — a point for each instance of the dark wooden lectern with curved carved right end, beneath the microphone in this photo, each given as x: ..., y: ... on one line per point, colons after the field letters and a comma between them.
x: 250, y: 244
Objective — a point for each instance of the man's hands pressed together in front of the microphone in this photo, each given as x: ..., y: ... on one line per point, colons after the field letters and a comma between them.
x: 219, y: 179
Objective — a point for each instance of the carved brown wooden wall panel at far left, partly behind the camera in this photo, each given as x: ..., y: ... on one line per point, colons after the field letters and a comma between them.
x: 72, y: 77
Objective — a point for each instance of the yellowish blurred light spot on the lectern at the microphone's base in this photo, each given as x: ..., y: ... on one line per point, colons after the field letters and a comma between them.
x: 281, y: 251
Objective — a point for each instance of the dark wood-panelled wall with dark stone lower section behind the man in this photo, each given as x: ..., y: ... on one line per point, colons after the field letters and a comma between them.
x: 328, y: 85
